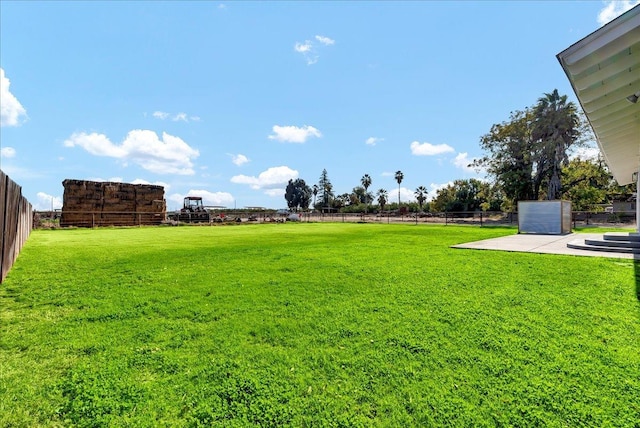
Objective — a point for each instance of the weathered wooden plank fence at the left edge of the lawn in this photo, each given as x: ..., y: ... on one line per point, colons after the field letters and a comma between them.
x: 16, y: 221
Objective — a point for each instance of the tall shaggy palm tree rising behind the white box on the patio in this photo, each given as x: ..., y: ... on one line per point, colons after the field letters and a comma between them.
x: 556, y: 128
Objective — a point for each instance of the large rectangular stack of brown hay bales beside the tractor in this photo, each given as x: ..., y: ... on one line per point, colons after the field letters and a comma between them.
x: 90, y: 203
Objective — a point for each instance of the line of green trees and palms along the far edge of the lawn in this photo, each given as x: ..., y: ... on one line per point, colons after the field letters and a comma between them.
x: 527, y: 157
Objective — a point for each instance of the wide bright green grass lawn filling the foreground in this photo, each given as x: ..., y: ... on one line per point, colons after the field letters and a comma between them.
x: 314, y: 325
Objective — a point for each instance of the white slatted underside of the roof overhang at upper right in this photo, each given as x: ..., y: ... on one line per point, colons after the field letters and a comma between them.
x: 604, y: 69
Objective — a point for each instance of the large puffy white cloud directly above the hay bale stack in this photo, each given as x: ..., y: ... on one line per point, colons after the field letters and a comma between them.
x: 169, y: 155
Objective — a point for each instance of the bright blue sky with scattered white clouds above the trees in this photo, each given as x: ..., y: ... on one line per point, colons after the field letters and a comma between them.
x: 231, y: 100
